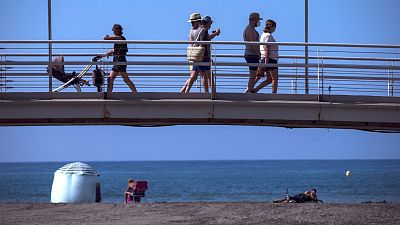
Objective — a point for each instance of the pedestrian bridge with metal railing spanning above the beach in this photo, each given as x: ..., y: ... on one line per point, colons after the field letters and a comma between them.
x: 321, y: 85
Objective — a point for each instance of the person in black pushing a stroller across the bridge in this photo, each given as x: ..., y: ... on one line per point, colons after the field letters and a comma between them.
x: 119, y: 53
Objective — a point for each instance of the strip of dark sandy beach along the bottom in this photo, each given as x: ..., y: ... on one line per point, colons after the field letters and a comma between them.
x: 198, y: 213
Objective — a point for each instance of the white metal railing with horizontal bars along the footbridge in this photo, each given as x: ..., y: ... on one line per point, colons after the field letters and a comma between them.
x: 161, y: 66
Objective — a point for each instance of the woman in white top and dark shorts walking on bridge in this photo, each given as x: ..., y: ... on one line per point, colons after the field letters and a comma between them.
x: 269, y: 55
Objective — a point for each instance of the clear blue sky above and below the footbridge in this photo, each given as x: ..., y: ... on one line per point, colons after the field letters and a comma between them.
x: 356, y: 21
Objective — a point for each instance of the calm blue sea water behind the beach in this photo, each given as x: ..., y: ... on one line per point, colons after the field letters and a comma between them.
x: 182, y: 181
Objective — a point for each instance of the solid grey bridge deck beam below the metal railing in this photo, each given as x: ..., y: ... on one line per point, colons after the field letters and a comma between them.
x: 159, y: 109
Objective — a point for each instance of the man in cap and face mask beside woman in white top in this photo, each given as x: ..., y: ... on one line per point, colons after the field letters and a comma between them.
x: 252, y: 53
